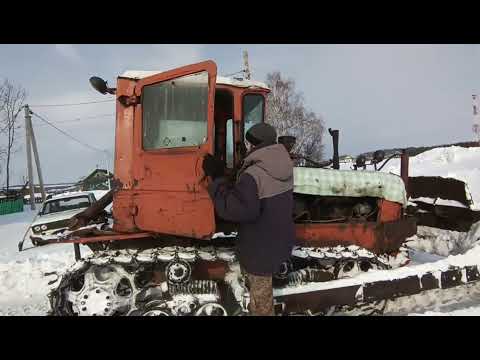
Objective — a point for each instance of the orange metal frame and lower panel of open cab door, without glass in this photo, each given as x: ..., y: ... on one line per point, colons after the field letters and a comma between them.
x: 170, y: 194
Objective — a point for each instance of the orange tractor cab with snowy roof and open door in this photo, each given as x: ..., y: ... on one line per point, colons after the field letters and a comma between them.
x: 166, y: 123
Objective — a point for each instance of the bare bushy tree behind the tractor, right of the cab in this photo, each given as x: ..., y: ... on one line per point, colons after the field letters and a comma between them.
x: 287, y: 113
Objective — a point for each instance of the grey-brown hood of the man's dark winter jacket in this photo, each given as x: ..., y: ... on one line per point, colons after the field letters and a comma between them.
x: 274, y: 160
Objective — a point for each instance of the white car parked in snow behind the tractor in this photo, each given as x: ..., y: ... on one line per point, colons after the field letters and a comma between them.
x: 56, y: 213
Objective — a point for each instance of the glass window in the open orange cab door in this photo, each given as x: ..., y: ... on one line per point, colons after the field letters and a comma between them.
x: 175, y: 112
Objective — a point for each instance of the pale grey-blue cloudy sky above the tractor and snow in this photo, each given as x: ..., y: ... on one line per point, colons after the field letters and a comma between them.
x: 378, y: 96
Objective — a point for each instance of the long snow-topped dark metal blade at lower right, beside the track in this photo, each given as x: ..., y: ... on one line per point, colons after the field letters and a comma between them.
x: 381, y: 285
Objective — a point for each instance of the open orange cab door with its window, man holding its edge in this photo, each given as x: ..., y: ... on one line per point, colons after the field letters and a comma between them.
x: 173, y: 131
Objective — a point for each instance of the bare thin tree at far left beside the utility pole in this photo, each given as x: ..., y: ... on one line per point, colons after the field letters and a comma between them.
x: 11, y: 101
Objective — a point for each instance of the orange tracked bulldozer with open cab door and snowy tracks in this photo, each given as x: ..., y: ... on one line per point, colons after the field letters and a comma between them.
x: 167, y: 253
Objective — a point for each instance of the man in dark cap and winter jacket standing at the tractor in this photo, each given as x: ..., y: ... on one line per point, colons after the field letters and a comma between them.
x: 261, y: 202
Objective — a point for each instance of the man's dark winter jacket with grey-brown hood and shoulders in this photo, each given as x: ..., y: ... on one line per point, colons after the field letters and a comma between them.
x: 261, y: 202
